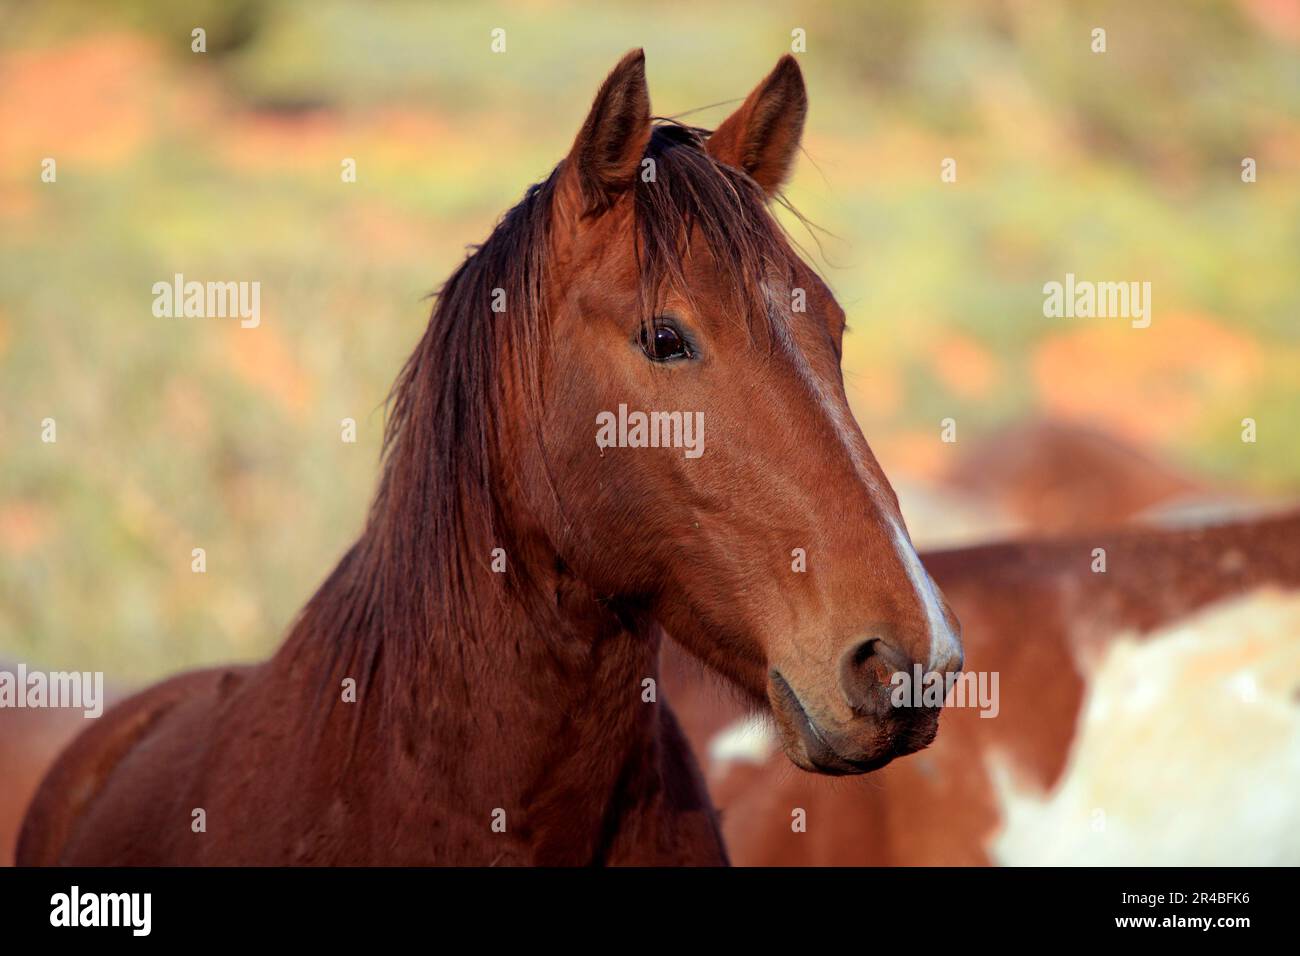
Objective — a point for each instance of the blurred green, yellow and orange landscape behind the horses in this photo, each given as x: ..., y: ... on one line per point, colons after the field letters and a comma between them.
x: 175, y: 435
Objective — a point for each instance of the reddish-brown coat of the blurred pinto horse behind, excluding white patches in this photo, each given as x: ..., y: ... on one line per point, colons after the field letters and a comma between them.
x: 1037, y: 613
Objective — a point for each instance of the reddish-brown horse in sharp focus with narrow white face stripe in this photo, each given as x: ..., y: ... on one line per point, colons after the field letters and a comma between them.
x: 501, y: 616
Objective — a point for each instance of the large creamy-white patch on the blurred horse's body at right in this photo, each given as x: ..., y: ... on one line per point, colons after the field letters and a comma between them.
x: 1188, y: 751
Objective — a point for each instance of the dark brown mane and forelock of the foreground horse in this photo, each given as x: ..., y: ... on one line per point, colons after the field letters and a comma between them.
x: 401, y: 596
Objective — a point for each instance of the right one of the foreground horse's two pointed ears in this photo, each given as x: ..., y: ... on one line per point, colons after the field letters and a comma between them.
x: 764, y: 136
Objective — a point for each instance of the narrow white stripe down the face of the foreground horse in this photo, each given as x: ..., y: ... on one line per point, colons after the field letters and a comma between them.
x: 943, y: 643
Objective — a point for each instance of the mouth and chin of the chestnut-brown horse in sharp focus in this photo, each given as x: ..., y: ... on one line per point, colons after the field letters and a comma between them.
x: 811, y: 747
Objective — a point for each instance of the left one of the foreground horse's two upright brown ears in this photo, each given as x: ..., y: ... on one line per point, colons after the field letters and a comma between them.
x: 609, y: 149
